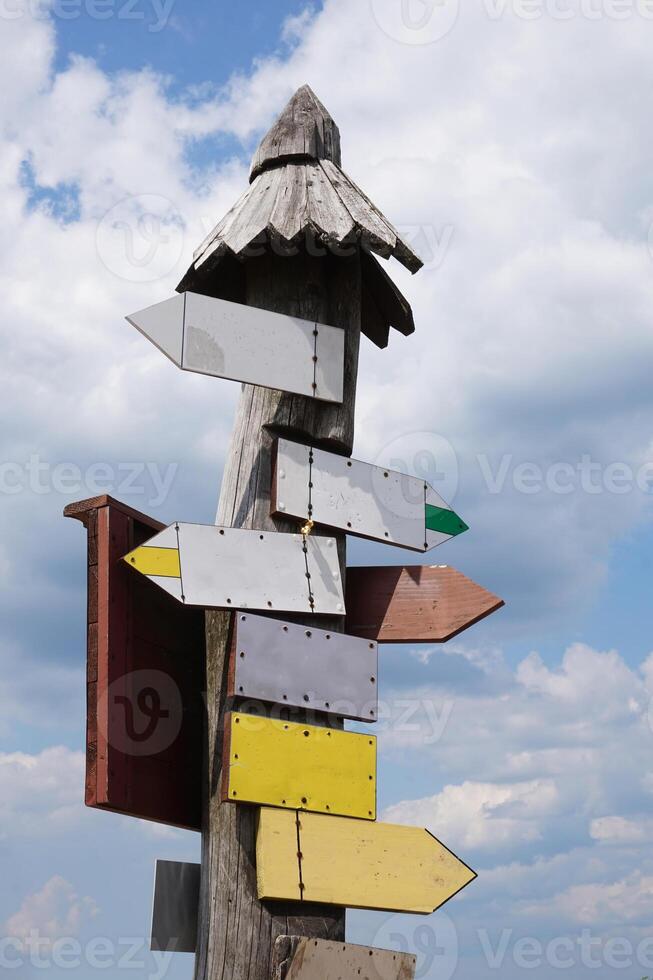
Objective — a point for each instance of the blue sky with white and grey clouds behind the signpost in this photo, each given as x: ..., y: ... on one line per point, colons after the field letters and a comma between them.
x: 510, y: 142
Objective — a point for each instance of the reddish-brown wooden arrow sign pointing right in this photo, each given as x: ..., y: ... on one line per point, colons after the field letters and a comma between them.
x: 414, y: 604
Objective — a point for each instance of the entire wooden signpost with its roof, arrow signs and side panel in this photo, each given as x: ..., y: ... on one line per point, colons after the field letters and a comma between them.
x: 288, y: 808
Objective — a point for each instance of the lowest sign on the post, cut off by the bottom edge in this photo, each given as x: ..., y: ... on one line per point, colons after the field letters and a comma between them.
x: 298, y: 958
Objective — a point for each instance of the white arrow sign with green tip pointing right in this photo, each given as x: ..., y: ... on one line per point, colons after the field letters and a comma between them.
x: 370, y: 501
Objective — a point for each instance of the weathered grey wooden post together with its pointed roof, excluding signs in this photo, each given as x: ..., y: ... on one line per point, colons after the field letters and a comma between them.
x: 303, y: 235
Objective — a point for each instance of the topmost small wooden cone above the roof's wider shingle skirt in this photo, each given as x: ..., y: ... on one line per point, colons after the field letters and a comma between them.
x: 304, y: 131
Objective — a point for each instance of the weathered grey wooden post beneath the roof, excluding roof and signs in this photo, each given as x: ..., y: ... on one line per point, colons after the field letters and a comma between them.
x: 236, y: 931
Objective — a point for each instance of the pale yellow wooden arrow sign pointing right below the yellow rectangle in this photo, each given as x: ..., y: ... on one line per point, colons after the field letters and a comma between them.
x: 354, y: 863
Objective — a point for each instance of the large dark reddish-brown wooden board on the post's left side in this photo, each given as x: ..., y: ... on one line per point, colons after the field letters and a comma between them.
x: 145, y: 679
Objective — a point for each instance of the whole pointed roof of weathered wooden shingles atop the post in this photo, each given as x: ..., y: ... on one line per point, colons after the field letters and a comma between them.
x: 297, y: 188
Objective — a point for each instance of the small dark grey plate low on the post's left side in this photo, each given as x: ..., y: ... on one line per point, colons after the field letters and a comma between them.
x: 175, y: 906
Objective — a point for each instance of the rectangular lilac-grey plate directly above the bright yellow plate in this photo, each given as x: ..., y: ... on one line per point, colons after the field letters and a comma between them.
x: 293, y: 665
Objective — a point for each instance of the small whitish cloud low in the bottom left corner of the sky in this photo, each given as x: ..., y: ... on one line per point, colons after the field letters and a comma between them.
x: 53, y: 912
